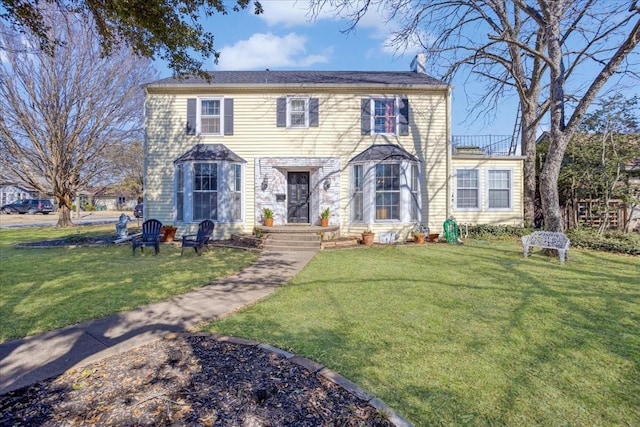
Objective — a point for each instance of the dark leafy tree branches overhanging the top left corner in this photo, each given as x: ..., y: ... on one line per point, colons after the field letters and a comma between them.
x: 169, y: 29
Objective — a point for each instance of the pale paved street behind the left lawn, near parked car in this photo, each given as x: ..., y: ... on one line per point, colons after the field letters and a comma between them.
x: 39, y: 220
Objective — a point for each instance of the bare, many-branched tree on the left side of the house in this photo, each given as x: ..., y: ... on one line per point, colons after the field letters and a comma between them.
x: 61, y: 110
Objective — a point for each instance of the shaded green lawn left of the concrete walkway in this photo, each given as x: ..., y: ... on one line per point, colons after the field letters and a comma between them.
x: 44, y: 289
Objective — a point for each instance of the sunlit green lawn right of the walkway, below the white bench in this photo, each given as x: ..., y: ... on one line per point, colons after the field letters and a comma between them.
x: 468, y: 335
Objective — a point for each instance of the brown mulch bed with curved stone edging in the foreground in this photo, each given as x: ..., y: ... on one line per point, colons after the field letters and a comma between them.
x: 189, y: 380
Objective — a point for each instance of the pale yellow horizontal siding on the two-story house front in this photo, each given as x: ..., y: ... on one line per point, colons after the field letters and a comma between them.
x: 256, y: 136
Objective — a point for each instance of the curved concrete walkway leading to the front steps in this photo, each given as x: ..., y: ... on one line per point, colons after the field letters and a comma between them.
x: 29, y: 360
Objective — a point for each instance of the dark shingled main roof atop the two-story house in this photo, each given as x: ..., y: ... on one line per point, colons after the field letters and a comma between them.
x: 307, y: 77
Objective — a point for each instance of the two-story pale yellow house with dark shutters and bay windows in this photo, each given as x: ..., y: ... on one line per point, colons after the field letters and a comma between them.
x: 373, y: 147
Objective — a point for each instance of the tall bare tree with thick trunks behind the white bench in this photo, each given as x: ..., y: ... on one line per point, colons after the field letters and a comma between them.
x: 552, y: 54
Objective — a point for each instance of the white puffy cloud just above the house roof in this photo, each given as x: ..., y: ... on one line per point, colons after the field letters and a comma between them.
x: 269, y: 51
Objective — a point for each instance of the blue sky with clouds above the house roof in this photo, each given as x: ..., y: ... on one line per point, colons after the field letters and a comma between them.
x: 286, y: 38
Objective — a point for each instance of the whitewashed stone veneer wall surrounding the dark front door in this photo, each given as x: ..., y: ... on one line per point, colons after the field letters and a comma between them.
x: 321, y: 170
